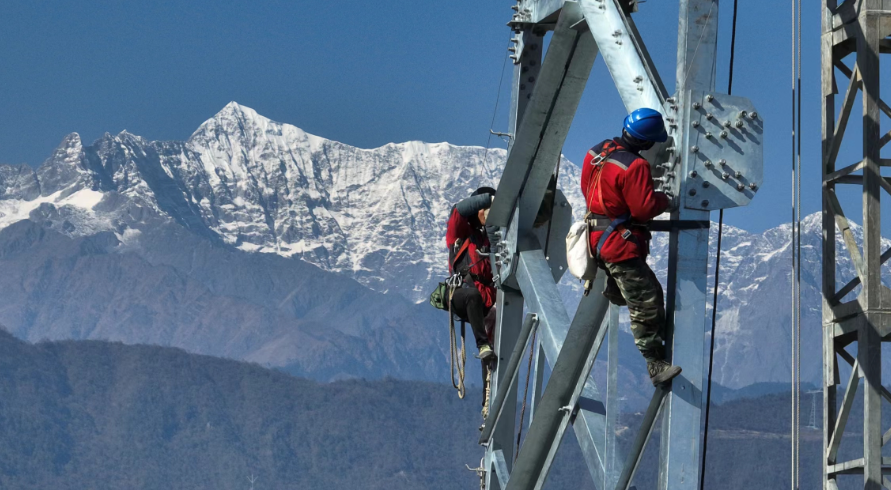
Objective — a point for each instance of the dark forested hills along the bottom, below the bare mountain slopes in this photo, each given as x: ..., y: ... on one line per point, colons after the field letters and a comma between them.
x: 98, y: 415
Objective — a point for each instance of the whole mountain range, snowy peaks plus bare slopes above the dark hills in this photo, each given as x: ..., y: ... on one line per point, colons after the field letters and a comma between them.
x: 240, y: 213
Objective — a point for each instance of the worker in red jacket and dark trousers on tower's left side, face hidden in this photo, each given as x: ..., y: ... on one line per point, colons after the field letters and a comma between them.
x: 468, y: 246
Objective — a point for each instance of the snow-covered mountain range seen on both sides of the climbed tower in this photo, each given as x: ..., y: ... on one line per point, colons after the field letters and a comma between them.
x: 376, y: 215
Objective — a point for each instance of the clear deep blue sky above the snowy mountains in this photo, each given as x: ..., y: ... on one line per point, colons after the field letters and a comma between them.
x: 364, y: 73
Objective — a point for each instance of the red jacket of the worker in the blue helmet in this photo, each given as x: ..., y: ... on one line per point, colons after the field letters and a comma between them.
x: 627, y: 186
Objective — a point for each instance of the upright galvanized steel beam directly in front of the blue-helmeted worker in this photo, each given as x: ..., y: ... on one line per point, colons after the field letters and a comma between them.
x: 688, y: 264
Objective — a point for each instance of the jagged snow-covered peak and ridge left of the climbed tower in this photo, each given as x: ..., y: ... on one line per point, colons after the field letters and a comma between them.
x: 377, y: 215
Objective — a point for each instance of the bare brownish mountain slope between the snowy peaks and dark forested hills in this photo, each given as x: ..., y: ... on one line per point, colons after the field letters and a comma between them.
x: 187, y: 292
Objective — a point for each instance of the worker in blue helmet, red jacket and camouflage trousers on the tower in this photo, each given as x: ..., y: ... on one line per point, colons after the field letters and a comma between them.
x: 618, y: 189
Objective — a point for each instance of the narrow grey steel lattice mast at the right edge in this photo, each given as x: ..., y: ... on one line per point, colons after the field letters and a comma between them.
x: 854, y: 35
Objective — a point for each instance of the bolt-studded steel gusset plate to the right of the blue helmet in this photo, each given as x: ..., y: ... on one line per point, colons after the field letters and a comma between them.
x: 724, y: 151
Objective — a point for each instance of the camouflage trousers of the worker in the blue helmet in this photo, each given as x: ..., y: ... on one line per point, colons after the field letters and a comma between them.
x: 632, y: 282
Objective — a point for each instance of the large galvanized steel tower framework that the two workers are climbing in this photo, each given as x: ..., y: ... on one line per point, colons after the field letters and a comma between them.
x: 712, y: 161
